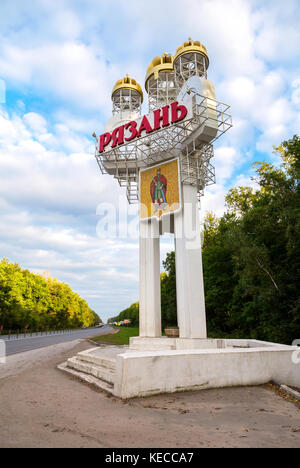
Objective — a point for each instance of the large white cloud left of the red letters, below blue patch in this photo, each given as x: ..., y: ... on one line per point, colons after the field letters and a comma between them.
x: 32, y: 175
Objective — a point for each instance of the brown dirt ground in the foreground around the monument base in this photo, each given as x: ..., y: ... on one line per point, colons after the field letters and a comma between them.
x: 43, y: 407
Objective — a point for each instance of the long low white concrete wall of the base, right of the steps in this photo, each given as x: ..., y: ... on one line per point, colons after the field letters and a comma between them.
x: 237, y: 363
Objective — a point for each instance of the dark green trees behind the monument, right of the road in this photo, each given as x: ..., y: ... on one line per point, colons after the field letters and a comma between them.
x: 251, y: 258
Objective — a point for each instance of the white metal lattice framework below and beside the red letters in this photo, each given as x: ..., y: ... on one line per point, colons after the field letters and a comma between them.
x: 190, y: 140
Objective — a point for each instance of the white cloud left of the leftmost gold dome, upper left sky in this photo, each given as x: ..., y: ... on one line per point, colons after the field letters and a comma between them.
x: 72, y: 71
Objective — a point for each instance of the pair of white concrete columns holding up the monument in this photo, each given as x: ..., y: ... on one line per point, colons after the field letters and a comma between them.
x: 189, y: 272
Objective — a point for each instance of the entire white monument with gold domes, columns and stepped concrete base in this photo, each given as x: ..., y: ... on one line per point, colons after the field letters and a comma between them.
x: 154, y: 364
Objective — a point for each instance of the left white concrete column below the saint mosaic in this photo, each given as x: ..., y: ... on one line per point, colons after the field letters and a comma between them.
x: 150, y: 302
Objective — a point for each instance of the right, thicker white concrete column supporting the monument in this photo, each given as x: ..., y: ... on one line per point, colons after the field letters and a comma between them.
x: 189, y: 272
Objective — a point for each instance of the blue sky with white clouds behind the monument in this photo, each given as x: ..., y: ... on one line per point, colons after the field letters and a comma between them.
x: 58, y: 63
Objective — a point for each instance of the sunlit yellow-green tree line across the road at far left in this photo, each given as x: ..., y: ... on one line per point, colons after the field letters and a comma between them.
x: 36, y: 302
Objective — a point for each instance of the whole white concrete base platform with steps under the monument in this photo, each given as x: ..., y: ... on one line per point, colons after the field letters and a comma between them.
x: 162, y: 365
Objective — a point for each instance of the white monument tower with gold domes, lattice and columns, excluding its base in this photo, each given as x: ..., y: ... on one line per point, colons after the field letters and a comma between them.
x: 181, y: 79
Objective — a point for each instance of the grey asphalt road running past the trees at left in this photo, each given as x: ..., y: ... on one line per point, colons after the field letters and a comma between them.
x: 26, y: 344
